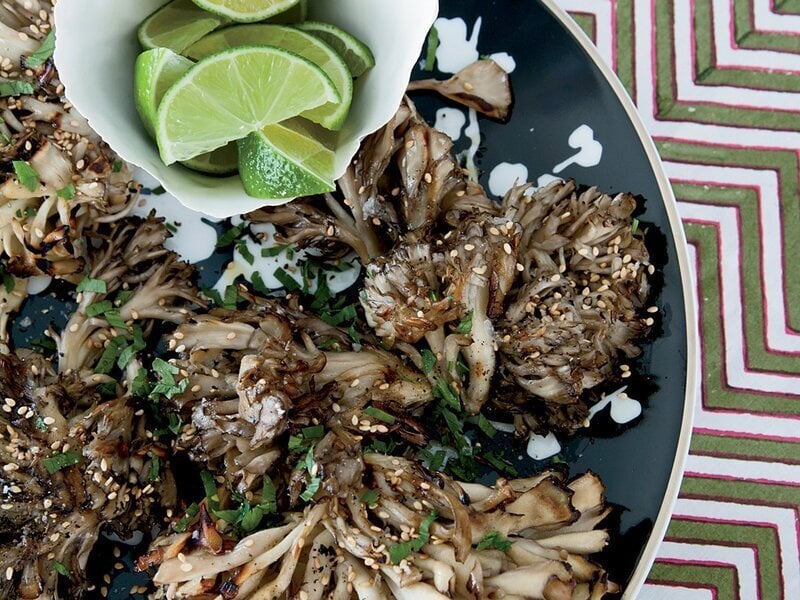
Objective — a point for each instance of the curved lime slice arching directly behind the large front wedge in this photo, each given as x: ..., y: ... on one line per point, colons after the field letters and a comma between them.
x: 331, y: 115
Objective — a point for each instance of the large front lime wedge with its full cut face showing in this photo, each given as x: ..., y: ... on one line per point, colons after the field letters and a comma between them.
x: 229, y: 95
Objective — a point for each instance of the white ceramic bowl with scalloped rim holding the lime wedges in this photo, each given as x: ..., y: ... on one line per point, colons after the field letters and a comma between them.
x: 96, y: 48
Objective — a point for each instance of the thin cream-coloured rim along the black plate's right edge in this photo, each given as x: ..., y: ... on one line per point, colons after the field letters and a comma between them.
x: 665, y: 512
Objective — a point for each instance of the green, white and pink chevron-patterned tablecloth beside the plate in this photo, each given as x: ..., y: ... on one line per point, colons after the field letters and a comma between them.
x: 717, y: 83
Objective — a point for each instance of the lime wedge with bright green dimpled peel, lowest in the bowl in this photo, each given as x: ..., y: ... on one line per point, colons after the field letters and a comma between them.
x: 282, y: 161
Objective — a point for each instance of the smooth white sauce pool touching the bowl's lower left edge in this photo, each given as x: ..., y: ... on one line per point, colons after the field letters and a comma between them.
x: 194, y: 240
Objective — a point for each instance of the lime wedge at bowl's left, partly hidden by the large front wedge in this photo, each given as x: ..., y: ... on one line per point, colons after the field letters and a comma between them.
x: 155, y: 72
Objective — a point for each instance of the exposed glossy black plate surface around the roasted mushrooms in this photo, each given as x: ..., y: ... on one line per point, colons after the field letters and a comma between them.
x: 558, y: 87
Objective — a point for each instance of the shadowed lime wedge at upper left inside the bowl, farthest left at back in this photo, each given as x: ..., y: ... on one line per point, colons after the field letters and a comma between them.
x: 177, y: 25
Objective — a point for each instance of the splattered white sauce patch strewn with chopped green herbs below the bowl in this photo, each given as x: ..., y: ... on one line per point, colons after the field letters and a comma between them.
x: 265, y: 266
